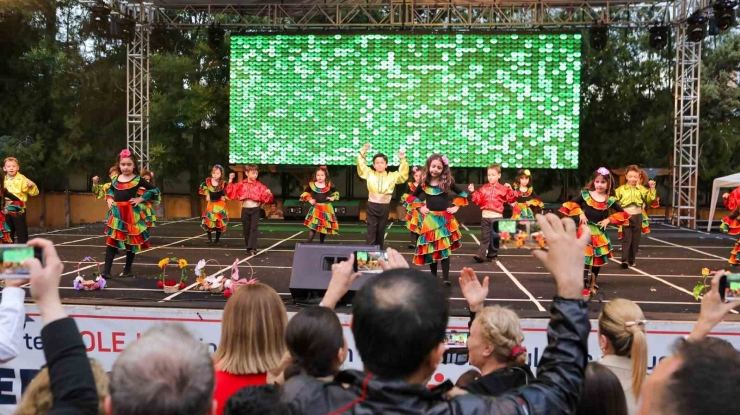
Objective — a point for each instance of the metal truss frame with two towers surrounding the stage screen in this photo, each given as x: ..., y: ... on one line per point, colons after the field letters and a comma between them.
x: 430, y: 15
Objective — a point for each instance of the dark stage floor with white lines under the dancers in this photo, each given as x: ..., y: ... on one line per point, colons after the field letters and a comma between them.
x: 668, y: 266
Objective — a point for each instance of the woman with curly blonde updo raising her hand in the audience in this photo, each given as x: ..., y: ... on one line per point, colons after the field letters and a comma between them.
x: 495, y: 344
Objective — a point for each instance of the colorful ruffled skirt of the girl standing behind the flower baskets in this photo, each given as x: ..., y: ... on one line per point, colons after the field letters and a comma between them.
x: 126, y: 227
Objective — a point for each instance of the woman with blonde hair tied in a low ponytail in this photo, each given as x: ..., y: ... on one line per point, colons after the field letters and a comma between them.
x: 623, y: 341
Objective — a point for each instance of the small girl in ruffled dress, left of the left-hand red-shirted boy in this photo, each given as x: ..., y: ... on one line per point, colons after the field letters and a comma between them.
x: 215, y: 217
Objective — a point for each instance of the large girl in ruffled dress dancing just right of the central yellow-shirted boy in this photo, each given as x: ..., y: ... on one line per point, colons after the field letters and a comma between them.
x: 439, y: 232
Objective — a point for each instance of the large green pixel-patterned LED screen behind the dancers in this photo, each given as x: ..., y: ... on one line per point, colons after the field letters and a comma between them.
x: 511, y: 99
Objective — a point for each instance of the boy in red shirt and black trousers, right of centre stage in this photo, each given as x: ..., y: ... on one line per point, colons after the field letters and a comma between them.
x: 491, y: 199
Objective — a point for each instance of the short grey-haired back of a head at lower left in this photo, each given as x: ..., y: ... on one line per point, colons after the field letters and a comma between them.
x: 165, y: 372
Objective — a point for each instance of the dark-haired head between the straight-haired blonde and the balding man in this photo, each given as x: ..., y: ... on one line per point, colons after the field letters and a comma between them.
x: 316, y: 343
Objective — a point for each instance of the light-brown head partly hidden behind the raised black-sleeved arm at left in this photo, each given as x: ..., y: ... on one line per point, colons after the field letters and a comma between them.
x: 37, y: 398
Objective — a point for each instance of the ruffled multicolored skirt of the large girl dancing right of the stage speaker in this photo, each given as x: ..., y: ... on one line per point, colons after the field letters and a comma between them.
x: 439, y: 235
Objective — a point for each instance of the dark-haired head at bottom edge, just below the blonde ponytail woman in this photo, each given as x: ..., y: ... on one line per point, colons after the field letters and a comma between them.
x: 602, y: 393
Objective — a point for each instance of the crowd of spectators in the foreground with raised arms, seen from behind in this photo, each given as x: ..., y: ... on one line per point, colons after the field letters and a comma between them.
x: 267, y: 365
